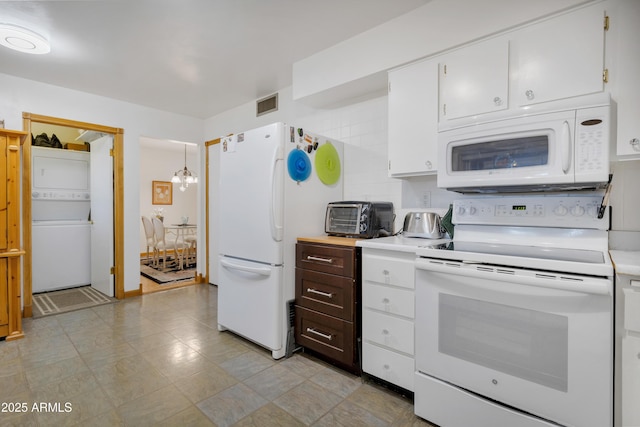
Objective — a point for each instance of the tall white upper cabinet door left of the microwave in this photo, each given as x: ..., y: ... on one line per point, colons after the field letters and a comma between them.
x: 413, y: 119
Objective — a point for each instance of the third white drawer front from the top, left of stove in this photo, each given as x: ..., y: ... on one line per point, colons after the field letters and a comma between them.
x: 388, y: 331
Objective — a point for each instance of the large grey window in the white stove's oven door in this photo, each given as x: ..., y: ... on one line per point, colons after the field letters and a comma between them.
x: 528, y: 344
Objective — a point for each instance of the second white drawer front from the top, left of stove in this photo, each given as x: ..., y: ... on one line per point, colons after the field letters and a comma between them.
x: 395, y: 301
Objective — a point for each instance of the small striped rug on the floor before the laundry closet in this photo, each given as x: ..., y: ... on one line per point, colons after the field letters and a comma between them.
x: 66, y: 300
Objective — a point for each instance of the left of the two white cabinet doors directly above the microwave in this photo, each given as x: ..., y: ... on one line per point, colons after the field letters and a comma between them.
x: 475, y: 80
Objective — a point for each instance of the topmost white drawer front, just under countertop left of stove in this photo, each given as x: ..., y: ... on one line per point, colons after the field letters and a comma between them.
x: 388, y: 271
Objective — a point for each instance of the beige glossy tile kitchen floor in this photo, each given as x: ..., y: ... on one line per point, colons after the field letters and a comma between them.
x: 158, y: 360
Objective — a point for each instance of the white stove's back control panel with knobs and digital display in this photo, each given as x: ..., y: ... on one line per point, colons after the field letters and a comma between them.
x: 567, y: 211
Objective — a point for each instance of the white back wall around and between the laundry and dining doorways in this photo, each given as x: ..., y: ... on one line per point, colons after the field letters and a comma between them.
x: 19, y: 95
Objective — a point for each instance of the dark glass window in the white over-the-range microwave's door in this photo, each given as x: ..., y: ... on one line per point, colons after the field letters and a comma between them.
x: 502, y: 154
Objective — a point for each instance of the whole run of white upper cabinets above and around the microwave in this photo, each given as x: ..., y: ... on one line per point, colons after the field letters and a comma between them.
x: 556, y: 58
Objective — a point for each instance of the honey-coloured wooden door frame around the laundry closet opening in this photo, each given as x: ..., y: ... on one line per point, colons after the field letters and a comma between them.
x: 118, y: 201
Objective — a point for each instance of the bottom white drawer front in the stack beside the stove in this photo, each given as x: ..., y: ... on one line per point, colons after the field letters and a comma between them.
x: 393, y: 367
